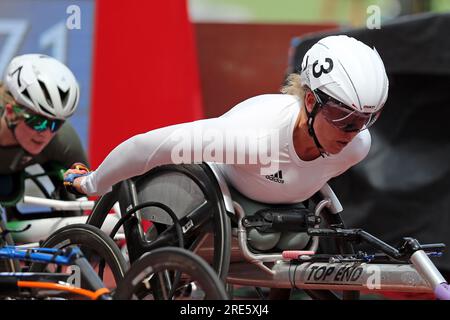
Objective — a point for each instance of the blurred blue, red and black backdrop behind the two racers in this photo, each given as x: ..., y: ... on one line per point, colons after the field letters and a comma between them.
x: 146, y: 64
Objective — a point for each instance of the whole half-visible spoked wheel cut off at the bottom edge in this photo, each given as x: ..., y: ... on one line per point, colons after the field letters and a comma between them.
x: 179, y: 274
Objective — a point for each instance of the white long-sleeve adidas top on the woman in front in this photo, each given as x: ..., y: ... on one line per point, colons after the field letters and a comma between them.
x: 252, y: 144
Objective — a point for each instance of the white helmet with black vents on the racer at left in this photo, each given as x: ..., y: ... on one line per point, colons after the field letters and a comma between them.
x: 43, y: 84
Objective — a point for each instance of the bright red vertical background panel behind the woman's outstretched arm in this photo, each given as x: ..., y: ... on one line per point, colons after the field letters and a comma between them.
x: 145, y: 72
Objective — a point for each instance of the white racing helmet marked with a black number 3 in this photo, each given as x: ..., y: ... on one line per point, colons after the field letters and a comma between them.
x: 347, y: 70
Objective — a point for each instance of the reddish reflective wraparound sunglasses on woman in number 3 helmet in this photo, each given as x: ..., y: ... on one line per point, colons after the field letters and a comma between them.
x: 342, y: 116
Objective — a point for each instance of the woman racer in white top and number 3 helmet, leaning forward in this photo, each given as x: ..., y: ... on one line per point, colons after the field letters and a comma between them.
x: 314, y: 132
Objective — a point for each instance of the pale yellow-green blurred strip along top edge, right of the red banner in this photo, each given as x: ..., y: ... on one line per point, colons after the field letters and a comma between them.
x: 343, y: 12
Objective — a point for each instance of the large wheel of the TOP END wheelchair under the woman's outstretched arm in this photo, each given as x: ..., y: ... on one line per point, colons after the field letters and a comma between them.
x: 191, y: 192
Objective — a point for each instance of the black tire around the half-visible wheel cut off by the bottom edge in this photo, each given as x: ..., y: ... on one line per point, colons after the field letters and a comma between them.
x: 173, y: 259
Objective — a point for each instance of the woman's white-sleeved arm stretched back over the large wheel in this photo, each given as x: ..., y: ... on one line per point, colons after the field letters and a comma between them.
x: 183, y: 143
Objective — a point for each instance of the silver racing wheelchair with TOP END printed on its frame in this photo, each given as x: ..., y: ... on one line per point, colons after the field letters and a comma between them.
x: 303, y: 246
